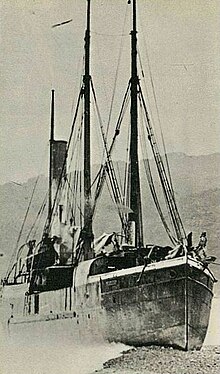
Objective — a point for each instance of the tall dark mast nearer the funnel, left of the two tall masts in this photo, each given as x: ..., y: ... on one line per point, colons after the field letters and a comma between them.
x: 87, y: 231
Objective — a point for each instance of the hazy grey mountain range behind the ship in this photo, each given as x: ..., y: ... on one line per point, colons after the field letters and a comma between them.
x: 196, y: 182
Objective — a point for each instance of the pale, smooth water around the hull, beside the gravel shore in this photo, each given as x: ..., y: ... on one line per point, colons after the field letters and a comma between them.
x: 25, y: 354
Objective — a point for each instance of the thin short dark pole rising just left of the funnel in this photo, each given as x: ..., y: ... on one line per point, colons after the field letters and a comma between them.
x: 51, y: 157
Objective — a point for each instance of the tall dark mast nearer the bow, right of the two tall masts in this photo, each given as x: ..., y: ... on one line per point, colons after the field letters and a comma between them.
x: 135, y: 193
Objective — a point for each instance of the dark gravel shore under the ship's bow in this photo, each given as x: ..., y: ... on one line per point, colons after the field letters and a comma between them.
x: 160, y: 360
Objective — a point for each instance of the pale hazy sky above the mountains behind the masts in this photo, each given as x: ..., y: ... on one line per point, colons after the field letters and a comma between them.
x: 184, y: 53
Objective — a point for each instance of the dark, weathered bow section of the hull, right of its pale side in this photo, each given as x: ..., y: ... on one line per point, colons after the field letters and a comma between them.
x: 164, y: 310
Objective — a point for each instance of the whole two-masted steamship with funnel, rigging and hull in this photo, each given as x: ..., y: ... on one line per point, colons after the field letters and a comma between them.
x: 115, y: 287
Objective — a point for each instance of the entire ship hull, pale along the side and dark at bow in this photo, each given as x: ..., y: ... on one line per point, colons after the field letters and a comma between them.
x: 168, y: 304
